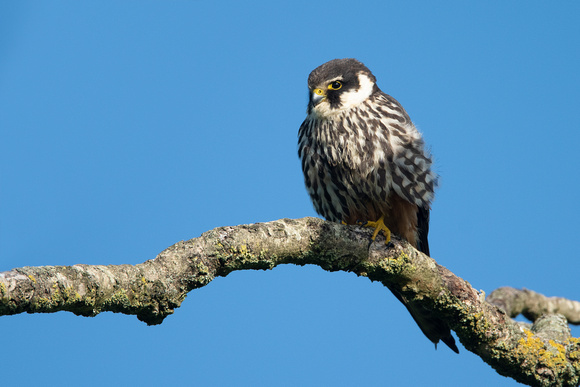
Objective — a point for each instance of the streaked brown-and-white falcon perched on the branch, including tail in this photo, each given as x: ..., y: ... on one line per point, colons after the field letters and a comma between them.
x: 365, y: 162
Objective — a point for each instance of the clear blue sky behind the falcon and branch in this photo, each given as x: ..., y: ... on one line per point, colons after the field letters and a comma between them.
x: 129, y: 126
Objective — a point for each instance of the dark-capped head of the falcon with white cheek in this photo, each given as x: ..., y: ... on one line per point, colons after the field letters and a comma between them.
x: 339, y: 85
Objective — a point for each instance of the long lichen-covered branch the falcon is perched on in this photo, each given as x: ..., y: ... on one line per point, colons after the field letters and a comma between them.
x: 544, y: 355
